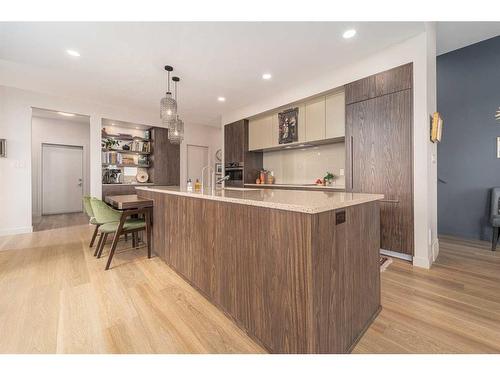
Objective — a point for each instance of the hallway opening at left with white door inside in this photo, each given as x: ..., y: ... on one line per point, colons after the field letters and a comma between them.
x: 60, y: 144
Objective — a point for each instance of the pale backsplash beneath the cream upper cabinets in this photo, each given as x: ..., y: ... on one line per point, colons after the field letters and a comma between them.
x: 304, y: 166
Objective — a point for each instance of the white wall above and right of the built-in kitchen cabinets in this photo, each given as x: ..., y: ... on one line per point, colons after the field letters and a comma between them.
x: 421, y: 51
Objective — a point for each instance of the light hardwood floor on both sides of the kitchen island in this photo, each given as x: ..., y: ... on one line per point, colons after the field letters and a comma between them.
x: 56, y: 298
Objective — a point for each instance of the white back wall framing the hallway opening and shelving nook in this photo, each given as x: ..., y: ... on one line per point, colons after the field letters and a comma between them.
x: 15, y: 126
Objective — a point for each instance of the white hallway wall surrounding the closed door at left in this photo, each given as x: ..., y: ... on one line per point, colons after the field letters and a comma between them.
x: 55, y: 131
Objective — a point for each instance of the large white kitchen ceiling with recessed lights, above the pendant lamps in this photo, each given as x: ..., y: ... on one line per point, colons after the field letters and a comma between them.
x: 122, y: 63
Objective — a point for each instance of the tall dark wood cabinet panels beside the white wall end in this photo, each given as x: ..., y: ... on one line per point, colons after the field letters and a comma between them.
x: 379, y: 155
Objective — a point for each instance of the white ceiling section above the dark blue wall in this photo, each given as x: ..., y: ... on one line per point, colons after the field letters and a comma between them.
x: 455, y: 35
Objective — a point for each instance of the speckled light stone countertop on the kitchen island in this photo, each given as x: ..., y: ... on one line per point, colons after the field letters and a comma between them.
x: 310, y: 202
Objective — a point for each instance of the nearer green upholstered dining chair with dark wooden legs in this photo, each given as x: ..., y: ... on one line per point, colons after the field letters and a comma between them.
x: 119, y: 223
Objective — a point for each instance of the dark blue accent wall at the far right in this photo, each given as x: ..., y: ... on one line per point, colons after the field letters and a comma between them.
x: 468, y: 96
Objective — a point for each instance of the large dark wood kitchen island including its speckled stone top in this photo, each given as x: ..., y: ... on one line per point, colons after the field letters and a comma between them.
x: 297, y: 270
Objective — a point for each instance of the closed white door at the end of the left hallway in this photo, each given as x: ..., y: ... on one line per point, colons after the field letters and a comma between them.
x: 62, y: 179
